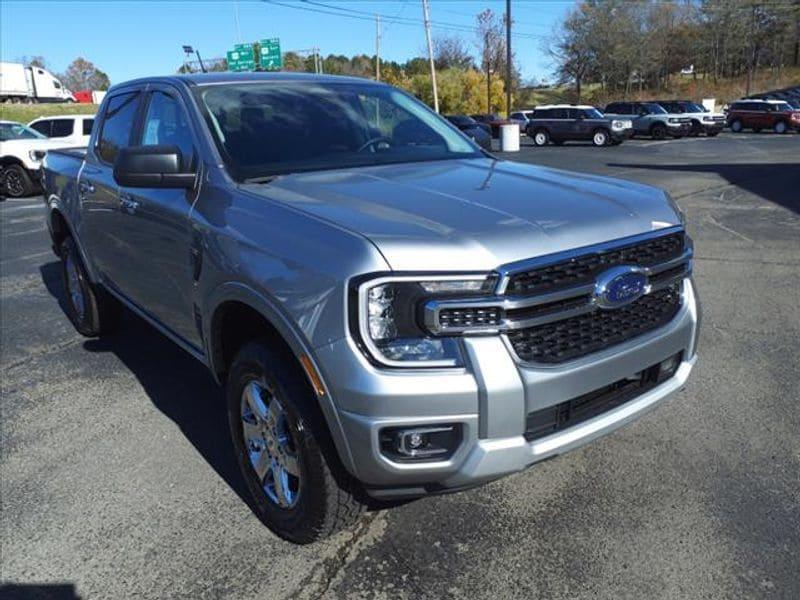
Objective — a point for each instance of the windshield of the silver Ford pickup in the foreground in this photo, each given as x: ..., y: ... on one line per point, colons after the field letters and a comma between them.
x: 272, y: 128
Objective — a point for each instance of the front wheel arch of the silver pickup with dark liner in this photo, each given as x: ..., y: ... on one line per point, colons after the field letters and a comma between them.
x: 244, y: 316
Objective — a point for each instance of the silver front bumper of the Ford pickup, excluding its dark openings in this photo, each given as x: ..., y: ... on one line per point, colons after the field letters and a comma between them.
x: 490, y: 400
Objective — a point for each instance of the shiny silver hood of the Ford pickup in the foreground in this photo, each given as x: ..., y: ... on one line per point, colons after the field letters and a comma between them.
x: 473, y: 214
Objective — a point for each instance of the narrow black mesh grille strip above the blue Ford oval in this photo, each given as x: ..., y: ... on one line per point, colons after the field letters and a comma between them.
x: 583, y: 269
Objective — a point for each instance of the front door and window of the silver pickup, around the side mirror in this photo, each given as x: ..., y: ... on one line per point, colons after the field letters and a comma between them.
x: 163, y: 260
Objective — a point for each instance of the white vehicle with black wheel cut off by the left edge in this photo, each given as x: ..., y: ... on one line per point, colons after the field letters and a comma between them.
x: 21, y: 152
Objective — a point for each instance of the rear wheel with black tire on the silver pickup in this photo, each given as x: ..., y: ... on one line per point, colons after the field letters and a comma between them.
x: 91, y: 309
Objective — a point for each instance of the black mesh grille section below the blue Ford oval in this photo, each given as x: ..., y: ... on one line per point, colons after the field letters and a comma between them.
x: 574, y: 337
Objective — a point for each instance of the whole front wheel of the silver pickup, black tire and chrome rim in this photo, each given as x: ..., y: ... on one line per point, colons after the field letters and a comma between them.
x: 299, y: 488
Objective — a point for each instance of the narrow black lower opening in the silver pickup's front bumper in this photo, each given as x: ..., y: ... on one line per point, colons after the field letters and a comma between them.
x: 546, y: 421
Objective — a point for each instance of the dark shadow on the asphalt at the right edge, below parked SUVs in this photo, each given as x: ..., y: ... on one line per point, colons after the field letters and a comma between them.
x: 774, y: 182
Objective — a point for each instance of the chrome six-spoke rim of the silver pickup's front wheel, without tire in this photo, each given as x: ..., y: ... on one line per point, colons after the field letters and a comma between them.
x: 270, y: 444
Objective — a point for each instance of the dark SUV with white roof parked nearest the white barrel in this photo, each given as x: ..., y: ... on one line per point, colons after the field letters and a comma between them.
x: 565, y: 122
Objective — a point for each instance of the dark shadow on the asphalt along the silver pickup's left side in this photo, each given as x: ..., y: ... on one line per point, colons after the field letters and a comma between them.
x: 177, y: 385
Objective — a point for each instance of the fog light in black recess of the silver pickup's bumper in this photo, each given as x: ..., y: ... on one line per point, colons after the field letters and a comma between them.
x: 420, y: 443
